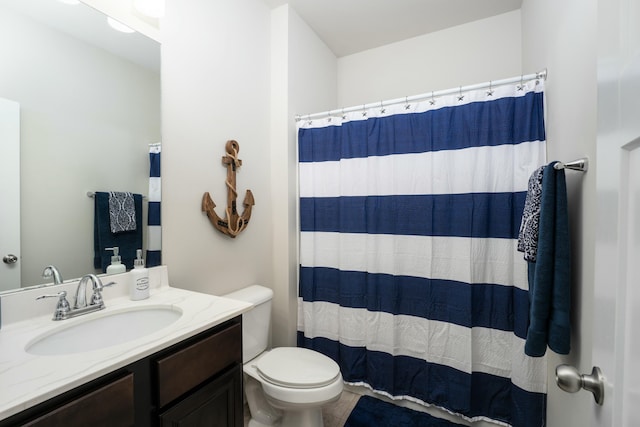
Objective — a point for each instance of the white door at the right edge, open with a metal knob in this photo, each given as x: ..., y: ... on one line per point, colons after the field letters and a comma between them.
x: 616, y: 340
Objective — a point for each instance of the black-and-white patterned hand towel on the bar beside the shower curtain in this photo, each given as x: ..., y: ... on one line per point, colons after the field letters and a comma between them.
x: 528, y: 236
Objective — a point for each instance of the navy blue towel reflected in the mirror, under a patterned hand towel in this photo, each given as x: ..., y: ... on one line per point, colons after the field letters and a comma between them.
x: 127, y: 241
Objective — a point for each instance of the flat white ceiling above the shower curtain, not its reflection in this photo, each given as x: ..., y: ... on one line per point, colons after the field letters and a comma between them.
x: 351, y: 26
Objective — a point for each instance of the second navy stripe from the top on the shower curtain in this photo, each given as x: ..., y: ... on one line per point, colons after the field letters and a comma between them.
x: 487, y: 215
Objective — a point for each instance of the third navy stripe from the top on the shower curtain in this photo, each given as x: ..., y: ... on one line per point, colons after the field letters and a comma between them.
x: 469, y: 305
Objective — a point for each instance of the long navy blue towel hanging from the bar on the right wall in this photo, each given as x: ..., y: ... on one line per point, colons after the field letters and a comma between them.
x: 550, y: 274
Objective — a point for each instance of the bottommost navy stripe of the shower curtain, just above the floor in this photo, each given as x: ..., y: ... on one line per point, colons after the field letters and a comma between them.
x: 476, y: 395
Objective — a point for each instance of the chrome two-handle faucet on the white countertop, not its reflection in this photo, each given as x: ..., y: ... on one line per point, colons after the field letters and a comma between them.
x: 64, y: 310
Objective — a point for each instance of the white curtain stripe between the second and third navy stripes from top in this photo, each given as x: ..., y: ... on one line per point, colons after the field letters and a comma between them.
x: 415, y: 256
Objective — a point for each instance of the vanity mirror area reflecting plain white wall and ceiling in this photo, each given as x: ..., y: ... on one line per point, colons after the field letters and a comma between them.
x: 89, y: 108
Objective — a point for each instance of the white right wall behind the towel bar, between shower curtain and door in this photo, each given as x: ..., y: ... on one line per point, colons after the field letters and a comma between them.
x: 561, y: 36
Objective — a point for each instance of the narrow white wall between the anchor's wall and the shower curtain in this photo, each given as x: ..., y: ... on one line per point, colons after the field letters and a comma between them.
x: 303, y: 79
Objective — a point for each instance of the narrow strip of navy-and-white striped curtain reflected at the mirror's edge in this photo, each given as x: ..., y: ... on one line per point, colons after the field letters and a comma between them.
x: 154, y: 229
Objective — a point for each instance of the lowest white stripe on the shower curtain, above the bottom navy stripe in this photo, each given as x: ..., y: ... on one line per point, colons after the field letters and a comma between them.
x: 445, y: 343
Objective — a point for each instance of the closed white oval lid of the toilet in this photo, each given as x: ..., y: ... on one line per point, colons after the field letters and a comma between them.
x: 297, y: 368
